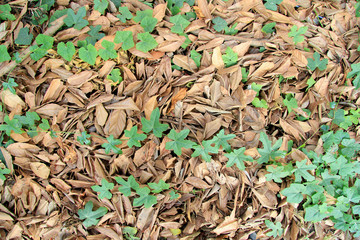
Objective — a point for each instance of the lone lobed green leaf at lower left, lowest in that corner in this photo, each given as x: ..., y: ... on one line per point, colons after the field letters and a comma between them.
x: 90, y: 216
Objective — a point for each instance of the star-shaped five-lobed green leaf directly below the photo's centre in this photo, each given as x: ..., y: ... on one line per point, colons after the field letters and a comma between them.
x: 179, y: 141
